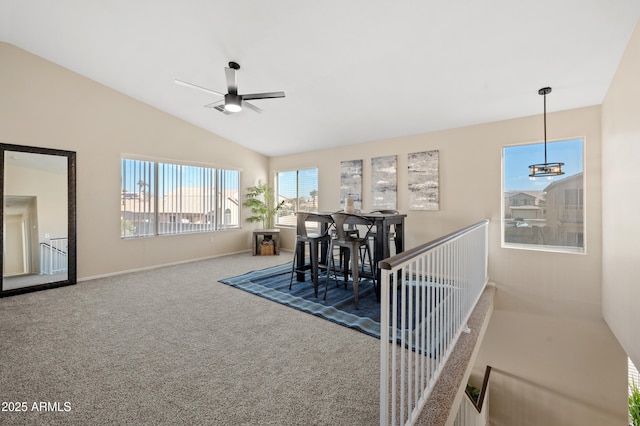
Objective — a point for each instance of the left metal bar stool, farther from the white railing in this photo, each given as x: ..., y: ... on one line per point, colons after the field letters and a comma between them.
x: 313, y: 239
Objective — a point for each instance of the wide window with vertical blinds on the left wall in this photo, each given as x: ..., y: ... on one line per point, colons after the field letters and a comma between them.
x: 164, y: 199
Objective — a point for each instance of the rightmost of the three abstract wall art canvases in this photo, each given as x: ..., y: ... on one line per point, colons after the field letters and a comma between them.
x: 423, y: 181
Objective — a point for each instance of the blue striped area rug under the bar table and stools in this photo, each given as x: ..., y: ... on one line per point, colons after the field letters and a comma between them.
x: 273, y: 284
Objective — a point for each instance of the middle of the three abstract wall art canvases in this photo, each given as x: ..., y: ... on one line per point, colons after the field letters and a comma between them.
x: 384, y: 183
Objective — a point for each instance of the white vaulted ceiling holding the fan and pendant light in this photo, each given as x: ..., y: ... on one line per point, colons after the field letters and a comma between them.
x: 352, y: 70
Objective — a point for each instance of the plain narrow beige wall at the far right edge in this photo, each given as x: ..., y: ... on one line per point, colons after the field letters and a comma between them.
x: 621, y: 201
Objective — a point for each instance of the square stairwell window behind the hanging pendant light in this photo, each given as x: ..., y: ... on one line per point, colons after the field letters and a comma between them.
x: 544, y: 213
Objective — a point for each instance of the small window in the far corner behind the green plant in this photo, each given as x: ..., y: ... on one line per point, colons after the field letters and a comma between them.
x: 299, y: 190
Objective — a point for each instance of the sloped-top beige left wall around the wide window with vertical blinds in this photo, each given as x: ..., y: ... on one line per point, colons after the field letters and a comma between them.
x: 44, y: 105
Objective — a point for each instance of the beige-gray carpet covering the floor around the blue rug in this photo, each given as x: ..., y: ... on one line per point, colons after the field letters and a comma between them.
x: 174, y: 346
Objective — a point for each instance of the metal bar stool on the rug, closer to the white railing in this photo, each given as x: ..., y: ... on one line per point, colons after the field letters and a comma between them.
x: 349, y: 244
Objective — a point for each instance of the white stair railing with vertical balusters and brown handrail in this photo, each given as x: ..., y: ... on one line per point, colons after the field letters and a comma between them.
x: 430, y: 292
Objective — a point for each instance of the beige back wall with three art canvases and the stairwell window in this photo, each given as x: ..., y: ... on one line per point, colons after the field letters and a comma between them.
x: 547, y: 331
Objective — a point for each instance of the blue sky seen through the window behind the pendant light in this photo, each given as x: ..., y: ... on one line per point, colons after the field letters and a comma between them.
x: 518, y: 158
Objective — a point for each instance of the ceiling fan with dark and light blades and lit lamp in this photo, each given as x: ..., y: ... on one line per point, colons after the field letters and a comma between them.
x: 233, y: 101
